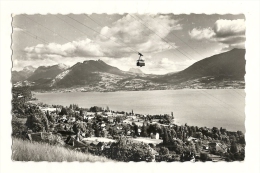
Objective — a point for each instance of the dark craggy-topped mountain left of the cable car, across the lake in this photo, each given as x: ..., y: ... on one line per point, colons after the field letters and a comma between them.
x: 88, y: 72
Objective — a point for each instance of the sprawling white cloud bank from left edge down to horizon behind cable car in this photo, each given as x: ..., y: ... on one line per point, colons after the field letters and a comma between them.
x: 117, y: 45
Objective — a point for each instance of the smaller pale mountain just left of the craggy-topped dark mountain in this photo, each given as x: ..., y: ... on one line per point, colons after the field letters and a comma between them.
x: 49, y: 72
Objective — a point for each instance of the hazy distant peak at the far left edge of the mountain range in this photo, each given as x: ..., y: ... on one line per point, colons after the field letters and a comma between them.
x: 23, y: 74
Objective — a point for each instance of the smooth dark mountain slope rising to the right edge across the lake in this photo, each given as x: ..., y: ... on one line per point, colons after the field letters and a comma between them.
x: 228, y: 65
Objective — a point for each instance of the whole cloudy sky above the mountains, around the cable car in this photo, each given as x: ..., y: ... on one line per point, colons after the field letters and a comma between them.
x: 168, y: 42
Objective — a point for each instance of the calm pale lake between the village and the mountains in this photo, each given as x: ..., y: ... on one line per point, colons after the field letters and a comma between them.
x: 211, y: 108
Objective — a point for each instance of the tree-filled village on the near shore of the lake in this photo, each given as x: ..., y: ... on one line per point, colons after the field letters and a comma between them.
x: 124, y: 136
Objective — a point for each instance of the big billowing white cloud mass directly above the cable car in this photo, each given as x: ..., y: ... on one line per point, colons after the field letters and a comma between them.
x: 135, y: 32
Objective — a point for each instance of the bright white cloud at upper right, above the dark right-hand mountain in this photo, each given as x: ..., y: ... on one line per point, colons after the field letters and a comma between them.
x: 228, y: 32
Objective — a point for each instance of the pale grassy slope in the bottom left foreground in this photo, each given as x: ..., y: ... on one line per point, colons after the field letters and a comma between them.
x: 32, y: 151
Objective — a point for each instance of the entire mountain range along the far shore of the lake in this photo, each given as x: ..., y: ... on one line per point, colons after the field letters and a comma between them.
x: 219, y: 71
